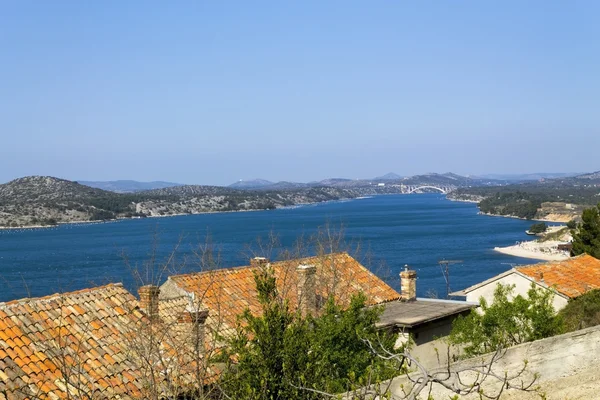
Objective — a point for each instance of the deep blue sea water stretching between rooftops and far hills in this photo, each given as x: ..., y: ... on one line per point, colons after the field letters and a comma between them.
x: 418, y: 230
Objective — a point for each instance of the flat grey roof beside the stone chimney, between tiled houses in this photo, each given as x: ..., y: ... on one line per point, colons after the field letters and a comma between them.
x: 412, y: 313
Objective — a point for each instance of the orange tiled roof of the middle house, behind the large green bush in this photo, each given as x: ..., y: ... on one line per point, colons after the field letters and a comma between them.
x: 306, y: 283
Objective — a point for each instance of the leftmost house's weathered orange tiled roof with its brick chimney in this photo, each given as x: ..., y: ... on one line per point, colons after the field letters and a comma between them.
x: 92, y: 343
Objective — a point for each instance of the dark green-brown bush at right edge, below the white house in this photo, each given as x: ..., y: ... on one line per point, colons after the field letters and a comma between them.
x: 582, y: 312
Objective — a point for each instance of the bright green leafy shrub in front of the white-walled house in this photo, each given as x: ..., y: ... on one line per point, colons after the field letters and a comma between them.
x: 506, y: 322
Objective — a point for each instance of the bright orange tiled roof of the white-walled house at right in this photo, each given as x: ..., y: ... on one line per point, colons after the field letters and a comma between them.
x: 572, y: 277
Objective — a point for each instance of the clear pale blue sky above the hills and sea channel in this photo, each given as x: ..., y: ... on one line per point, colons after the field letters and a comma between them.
x: 214, y: 91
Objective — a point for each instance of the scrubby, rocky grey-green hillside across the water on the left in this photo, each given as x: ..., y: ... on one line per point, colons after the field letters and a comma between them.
x: 33, y: 201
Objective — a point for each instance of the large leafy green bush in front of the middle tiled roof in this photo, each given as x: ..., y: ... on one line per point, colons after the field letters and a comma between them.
x: 280, y: 354
